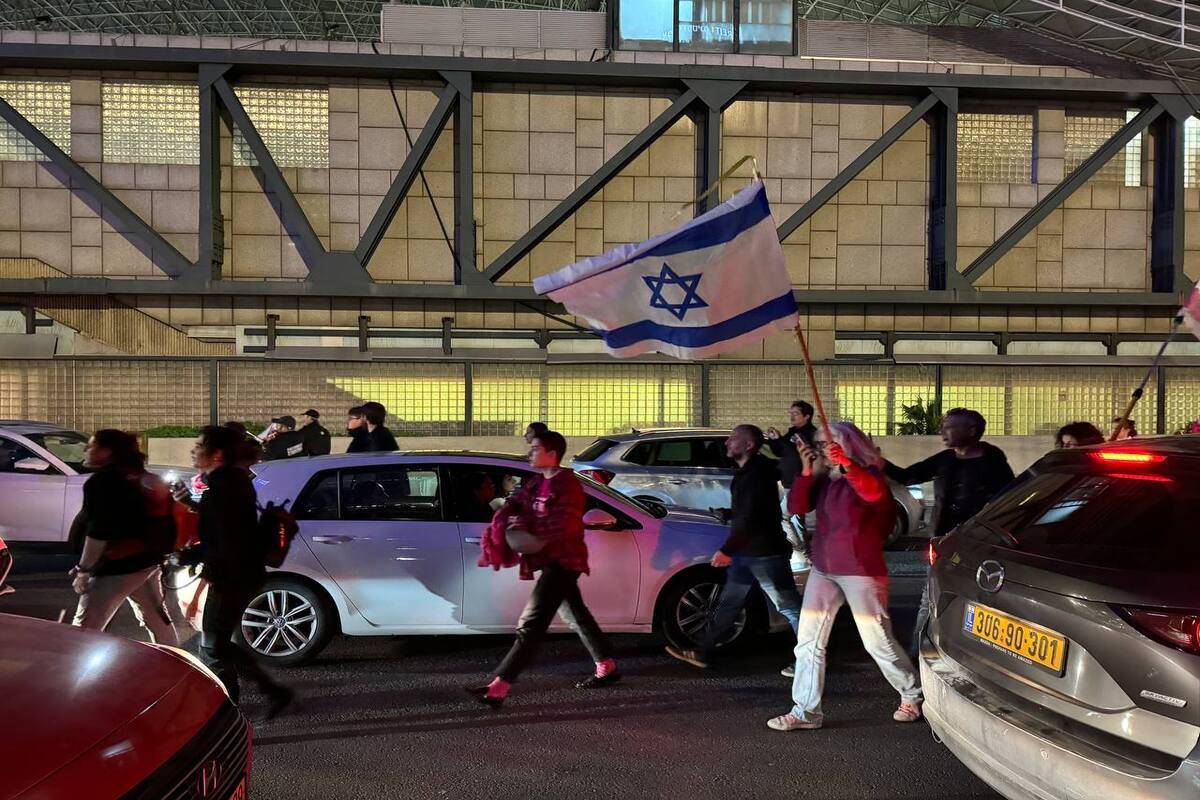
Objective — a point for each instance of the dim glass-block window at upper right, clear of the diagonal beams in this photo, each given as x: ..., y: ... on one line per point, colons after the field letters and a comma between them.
x: 995, y: 148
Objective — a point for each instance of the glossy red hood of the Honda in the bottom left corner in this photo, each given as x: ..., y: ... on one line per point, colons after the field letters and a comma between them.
x: 65, y: 690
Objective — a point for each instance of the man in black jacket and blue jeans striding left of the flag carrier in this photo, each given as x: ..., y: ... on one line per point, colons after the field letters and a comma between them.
x: 757, y: 550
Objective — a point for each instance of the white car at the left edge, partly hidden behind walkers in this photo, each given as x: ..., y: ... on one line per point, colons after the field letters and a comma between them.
x: 41, y: 482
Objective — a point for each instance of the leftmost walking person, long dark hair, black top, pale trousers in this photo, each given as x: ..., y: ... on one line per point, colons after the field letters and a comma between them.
x: 127, y: 519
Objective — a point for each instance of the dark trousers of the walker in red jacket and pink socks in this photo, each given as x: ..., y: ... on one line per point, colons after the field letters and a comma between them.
x: 556, y: 586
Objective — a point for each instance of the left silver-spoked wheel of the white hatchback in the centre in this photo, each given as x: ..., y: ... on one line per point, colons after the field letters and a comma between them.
x: 287, y: 624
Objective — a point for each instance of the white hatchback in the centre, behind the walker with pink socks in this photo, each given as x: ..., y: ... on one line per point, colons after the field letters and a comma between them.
x: 389, y: 545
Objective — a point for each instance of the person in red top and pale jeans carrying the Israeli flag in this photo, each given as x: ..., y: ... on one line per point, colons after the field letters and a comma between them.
x: 843, y: 480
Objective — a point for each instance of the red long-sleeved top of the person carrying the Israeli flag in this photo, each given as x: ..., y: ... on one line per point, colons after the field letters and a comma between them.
x: 855, y: 516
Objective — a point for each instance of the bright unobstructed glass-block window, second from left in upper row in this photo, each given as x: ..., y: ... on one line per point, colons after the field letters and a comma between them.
x: 148, y: 123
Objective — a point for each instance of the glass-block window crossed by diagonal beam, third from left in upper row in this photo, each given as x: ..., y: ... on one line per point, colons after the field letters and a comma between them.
x: 292, y: 122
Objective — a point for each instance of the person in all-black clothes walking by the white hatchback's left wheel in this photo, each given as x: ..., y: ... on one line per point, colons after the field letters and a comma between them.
x: 233, y: 556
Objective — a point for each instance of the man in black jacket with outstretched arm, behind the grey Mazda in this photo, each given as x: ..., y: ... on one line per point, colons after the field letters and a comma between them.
x: 967, y: 476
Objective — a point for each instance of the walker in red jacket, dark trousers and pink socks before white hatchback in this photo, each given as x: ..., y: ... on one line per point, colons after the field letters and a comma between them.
x: 550, y: 507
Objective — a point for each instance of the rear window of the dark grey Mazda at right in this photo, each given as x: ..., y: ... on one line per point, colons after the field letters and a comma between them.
x: 1145, y: 522
